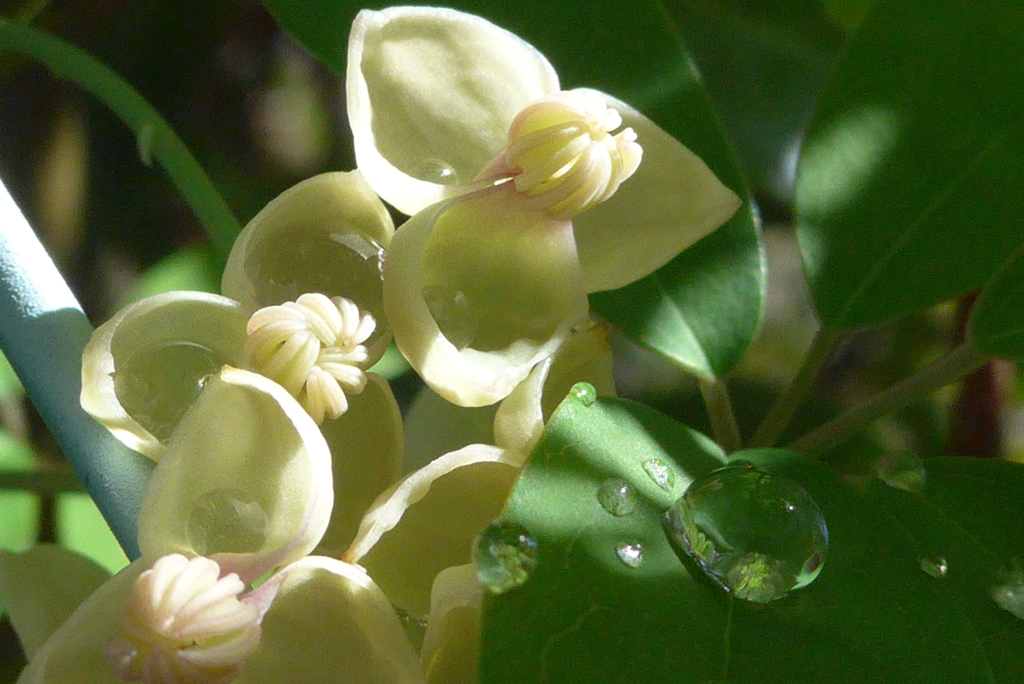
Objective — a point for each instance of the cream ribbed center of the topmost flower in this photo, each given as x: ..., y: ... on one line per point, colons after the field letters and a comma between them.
x: 564, y: 153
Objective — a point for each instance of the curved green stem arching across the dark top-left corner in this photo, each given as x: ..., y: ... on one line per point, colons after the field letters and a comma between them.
x: 156, y: 139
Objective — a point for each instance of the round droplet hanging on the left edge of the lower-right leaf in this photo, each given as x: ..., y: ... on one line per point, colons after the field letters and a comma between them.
x: 505, y: 555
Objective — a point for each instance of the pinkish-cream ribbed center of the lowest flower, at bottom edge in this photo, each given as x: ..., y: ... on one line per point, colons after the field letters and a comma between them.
x: 185, y: 624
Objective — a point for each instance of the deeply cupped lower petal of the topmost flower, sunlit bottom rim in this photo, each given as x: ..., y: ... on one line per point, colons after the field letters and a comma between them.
x: 479, y: 290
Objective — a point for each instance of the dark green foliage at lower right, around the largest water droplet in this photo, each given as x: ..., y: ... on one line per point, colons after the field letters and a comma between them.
x: 873, y: 616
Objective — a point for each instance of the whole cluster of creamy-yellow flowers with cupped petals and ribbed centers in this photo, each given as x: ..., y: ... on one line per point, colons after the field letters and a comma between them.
x: 274, y: 440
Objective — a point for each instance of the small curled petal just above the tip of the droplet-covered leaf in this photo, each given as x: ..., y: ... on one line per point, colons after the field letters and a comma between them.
x: 585, y: 357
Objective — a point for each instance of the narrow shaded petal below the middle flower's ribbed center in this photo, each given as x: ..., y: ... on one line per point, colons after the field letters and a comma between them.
x: 367, y: 452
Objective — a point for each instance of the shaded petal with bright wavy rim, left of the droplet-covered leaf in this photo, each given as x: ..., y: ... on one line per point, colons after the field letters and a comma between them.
x: 429, y: 522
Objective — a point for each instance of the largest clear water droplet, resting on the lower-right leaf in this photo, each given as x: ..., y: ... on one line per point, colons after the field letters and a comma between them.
x: 755, y: 534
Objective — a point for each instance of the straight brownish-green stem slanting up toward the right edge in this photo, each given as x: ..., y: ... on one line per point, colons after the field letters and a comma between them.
x: 938, y: 374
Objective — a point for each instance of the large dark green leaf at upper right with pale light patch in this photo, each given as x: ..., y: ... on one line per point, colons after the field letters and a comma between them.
x: 903, y: 188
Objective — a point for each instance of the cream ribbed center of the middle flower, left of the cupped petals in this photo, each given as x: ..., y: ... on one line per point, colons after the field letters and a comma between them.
x: 314, y: 349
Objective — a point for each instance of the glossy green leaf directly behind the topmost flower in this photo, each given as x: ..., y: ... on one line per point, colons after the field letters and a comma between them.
x: 702, y: 310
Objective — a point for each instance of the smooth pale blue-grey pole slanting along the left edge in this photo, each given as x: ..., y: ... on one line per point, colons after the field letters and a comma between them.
x: 44, y: 332
